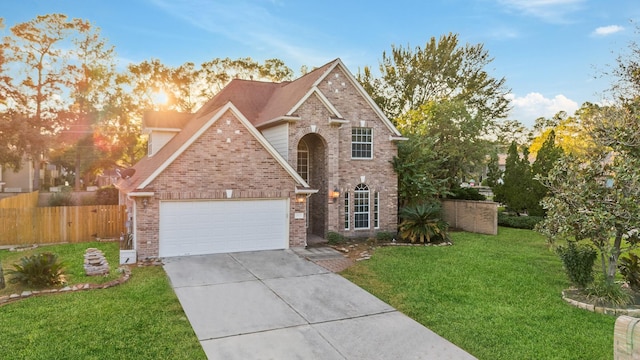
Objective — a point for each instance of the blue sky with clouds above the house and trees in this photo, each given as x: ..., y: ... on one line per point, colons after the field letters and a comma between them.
x: 551, y: 52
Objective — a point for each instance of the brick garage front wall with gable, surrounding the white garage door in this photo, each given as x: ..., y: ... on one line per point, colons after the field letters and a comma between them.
x: 206, y: 169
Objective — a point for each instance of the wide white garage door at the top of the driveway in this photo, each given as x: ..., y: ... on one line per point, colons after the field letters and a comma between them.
x: 209, y: 227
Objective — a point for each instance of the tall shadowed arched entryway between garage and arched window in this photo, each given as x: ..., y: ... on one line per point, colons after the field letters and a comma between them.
x: 312, y: 166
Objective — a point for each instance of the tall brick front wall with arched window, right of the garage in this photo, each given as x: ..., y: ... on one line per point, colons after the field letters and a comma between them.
x: 341, y: 171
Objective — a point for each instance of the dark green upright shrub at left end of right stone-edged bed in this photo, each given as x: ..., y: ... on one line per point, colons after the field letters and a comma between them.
x: 578, y: 260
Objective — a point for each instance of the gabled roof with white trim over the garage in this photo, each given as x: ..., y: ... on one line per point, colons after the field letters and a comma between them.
x: 147, y: 169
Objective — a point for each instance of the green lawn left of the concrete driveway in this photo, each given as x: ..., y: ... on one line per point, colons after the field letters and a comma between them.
x: 140, y: 319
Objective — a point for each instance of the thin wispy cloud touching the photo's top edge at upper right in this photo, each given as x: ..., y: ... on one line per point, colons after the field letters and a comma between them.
x: 549, y: 10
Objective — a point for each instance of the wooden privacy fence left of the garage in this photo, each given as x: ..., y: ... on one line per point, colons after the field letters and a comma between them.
x: 48, y: 225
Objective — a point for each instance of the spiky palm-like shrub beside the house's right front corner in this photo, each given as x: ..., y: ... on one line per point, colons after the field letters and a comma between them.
x: 422, y: 222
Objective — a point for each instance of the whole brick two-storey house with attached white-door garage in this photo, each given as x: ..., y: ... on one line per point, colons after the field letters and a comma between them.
x: 263, y: 166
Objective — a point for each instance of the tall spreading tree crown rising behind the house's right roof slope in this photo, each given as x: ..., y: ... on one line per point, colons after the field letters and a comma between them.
x: 441, y: 70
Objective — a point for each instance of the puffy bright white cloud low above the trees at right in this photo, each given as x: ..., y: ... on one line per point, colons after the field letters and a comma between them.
x: 528, y: 108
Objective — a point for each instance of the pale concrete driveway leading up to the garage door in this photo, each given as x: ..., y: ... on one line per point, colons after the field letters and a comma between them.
x: 276, y: 305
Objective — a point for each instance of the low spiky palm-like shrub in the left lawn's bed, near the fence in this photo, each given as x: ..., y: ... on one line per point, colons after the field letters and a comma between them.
x: 38, y: 270
